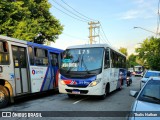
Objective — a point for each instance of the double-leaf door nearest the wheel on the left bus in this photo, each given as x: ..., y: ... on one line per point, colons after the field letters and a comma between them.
x: 20, y: 69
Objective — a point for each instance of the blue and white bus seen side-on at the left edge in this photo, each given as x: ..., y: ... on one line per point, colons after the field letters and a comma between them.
x: 25, y: 68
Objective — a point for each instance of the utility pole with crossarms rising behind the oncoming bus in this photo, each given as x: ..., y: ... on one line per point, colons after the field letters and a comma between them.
x: 92, y: 31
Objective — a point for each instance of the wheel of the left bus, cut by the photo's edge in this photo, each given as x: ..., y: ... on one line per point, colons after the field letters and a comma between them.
x: 4, y: 96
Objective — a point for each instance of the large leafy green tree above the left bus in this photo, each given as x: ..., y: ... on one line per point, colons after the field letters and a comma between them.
x: 29, y: 20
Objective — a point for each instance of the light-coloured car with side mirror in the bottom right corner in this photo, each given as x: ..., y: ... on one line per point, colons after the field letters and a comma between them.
x: 147, y: 103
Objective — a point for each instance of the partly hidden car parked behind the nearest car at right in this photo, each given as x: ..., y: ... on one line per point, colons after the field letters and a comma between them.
x: 147, y: 75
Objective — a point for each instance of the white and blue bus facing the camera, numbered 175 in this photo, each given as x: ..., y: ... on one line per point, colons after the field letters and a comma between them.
x: 91, y: 70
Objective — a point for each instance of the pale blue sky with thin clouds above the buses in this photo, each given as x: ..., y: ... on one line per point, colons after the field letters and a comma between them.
x: 117, y: 17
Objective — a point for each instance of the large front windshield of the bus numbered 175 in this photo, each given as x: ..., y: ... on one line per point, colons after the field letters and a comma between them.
x: 82, y: 59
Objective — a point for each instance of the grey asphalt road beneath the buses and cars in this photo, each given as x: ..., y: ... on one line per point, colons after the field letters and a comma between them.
x: 115, y: 102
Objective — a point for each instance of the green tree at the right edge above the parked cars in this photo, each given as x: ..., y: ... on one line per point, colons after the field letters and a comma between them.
x: 149, y: 52
